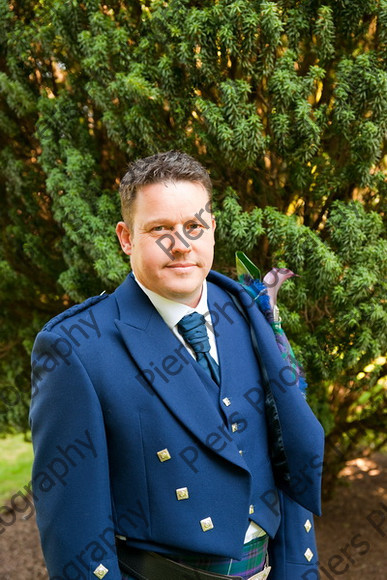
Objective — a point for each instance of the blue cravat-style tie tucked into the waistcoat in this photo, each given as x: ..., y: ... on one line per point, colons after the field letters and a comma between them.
x: 193, y: 329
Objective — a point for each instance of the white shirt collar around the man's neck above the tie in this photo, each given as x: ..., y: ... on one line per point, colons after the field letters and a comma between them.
x: 172, y: 312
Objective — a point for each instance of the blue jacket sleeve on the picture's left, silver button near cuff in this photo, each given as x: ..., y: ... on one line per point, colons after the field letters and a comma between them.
x: 70, y: 478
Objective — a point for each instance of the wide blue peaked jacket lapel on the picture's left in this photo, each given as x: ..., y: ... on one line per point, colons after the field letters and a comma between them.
x: 154, y: 349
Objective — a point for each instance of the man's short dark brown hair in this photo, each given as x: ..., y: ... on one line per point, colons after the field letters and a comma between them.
x: 161, y: 167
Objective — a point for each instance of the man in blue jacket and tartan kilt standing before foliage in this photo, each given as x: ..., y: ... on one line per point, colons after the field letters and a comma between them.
x: 170, y: 442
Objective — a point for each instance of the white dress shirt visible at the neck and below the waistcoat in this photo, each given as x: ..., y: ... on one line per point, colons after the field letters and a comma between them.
x: 172, y: 312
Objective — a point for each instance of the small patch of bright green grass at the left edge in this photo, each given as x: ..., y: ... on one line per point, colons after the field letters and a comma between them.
x: 15, y: 465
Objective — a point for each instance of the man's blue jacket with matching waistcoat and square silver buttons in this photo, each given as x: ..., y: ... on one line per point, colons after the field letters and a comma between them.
x: 131, y: 439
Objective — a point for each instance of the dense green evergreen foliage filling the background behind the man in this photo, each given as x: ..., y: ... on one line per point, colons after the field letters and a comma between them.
x: 284, y: 101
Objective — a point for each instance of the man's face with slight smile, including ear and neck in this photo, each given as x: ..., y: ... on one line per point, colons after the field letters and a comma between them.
x: 171, y: 239
